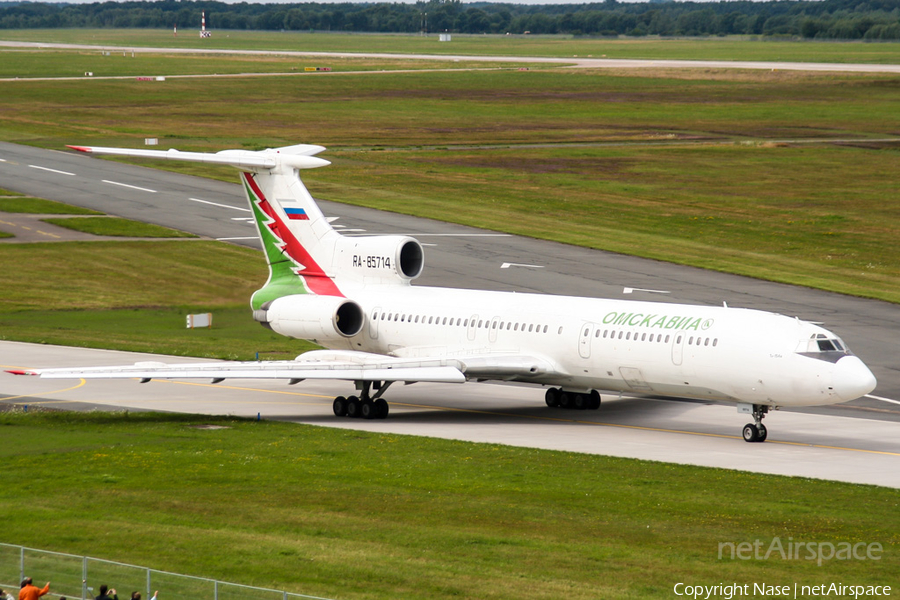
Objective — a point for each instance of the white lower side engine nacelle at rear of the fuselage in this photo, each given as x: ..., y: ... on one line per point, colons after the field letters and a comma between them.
x: 311, y: 317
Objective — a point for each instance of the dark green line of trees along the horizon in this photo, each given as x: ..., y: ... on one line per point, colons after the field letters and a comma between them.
x: 826, y: 19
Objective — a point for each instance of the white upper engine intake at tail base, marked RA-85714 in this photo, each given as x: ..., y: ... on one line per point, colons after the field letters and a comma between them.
x: 379, y: 259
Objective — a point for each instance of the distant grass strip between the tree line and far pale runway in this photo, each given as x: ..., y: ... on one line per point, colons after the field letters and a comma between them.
x: 732, y: 48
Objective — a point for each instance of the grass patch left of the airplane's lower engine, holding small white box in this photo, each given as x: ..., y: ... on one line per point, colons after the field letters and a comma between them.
x: 135, y: 296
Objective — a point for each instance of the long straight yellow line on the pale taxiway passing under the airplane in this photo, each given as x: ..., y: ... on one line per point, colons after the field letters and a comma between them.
x: 544, y: 418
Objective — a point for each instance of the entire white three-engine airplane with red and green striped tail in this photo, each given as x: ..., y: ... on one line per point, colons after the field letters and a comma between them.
x: 353, y: 296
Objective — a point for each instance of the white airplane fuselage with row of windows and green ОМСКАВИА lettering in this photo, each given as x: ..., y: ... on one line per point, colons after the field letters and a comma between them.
x: 714, y: 353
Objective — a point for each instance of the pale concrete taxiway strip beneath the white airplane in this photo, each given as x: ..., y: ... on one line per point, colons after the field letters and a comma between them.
x: 694, y: 433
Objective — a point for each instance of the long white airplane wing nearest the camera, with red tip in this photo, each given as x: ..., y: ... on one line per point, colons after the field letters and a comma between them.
x: 320, y: 364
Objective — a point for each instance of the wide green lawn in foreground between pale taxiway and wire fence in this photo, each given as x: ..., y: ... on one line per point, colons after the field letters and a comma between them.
x: 348, y: 514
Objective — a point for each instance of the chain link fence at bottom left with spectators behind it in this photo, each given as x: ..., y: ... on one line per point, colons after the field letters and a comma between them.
x: 81, y: 577
